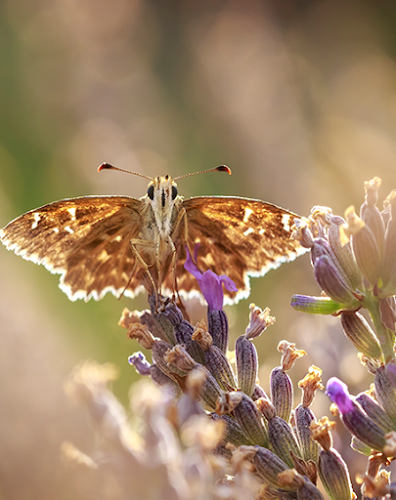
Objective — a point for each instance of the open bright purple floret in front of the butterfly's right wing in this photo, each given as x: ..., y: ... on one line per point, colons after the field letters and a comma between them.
x: 210, y: 283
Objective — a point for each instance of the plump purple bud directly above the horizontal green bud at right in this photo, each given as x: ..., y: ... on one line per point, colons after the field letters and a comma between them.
x: 332, y: 282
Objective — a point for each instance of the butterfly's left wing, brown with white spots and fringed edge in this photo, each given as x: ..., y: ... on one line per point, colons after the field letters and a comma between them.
x: 86, y: 240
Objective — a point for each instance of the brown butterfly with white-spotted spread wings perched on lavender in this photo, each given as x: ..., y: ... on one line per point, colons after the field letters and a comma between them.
x: 120, y: 244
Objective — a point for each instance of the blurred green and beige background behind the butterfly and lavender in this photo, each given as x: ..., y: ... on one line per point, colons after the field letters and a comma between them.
x: 297, y: 97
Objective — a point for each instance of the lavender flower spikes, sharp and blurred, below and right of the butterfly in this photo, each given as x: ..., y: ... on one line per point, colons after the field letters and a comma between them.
x: 212, y: 431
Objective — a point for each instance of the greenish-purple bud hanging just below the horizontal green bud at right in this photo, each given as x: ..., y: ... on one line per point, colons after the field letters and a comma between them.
x: 359, y: 332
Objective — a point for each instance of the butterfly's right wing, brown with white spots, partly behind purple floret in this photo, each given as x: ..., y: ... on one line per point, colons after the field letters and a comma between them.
x: 239, y: 237
